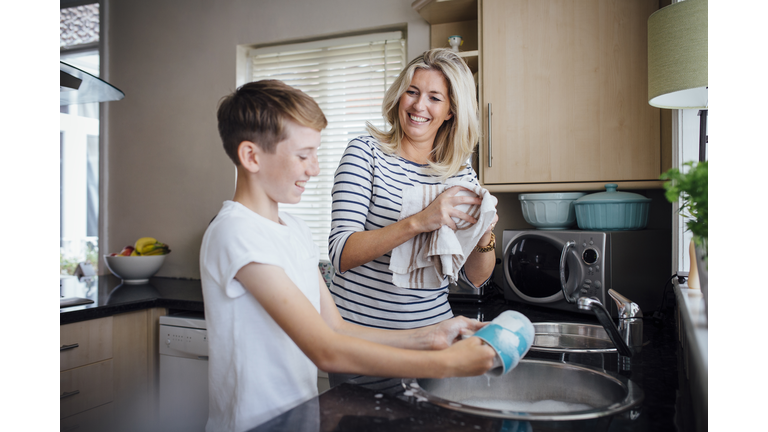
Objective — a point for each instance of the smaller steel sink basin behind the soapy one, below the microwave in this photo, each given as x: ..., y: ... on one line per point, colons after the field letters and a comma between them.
x: 571, y: 338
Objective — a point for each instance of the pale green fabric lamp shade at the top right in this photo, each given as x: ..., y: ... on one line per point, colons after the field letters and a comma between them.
x: 677, y: 56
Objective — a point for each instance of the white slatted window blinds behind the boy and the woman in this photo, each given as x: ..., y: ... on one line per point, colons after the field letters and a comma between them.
x: 348, y: 78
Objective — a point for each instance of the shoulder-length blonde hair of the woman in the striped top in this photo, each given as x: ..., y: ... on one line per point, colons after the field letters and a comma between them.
x: 457, y: 137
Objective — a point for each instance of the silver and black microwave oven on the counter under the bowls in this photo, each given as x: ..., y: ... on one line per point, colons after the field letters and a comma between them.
x: 636, y: 264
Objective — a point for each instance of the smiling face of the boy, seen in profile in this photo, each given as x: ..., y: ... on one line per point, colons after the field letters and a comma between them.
x: 284, y: 174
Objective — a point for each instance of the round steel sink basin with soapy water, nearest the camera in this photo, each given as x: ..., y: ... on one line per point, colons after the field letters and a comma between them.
x: 535, y: 390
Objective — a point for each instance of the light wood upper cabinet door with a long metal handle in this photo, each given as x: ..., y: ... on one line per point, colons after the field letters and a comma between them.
x: 566, y: 81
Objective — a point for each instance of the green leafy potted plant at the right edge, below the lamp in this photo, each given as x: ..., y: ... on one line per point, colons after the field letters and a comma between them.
x: 691, y: 188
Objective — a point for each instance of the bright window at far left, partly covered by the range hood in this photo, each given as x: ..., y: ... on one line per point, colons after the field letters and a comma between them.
x: 79, y: 144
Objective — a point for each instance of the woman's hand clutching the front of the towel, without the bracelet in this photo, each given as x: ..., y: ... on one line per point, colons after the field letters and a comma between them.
x: 443, y: 210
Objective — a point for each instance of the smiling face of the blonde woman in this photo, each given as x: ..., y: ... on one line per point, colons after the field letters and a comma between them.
x: 424, y: 106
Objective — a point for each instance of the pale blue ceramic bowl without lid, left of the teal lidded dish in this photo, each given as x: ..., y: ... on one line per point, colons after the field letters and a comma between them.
x: 550, y: 211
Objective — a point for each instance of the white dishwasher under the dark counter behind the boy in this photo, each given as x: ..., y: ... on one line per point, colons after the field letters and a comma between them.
x: 183, y: 372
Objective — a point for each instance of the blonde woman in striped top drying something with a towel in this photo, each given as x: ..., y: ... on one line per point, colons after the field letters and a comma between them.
x: 433, y: 112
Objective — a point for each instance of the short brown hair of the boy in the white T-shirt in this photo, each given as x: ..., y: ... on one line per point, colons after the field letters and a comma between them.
x: 258, y: 111
